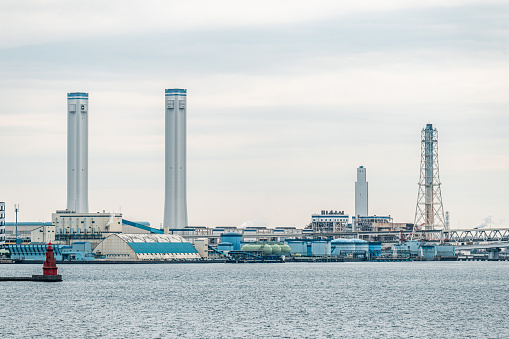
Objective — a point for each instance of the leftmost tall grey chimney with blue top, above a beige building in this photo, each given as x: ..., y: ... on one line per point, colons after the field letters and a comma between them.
x: 77, y: 152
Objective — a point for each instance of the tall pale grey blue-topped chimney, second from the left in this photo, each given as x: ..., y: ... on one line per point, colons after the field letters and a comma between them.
x: 175, y: 205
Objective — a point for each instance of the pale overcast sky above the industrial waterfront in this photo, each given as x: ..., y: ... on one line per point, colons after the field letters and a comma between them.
x: 285, y: 100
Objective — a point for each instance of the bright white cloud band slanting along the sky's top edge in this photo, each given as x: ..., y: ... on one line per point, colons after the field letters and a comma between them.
x: 39, y: 22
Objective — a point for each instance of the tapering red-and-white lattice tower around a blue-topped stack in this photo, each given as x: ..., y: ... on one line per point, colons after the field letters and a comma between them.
x: 429, y: 211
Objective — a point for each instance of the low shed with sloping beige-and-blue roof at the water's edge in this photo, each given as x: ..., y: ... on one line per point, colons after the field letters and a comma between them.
x: 146, y: 247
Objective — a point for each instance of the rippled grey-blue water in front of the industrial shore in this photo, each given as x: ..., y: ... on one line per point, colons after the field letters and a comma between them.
x: 292, y: 300
